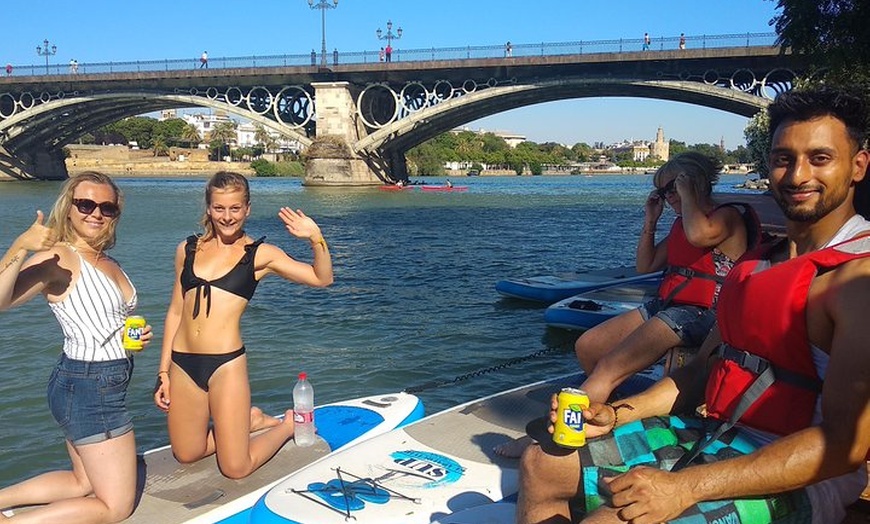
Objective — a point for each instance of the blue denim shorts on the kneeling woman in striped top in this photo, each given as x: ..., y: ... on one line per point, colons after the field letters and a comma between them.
x: 88, y: 400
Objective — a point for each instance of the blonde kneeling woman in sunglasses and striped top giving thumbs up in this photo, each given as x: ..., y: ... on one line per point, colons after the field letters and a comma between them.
x: 91, y: 297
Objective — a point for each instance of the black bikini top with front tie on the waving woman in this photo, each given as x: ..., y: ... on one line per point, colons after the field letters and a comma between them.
x: 239, y: 280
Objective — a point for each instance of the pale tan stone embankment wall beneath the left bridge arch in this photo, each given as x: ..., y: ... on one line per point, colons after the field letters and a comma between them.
x: 122, y: 161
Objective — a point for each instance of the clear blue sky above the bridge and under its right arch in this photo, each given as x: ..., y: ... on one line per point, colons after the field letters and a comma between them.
x: 104, y: 30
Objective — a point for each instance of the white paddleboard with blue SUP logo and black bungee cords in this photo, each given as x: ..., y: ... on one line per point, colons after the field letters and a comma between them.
x: 425, y: 471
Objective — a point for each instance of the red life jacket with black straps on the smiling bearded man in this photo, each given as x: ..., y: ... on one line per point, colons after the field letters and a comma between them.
x: 762, y: 318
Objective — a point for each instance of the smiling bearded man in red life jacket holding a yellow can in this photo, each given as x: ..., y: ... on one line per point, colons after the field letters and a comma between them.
x: 789, y: 373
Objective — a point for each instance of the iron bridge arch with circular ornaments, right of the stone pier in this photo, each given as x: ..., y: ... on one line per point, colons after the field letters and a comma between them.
x: 398, y: 117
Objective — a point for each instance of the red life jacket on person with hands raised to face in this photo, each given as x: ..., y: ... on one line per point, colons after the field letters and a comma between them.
x: 690, y: 277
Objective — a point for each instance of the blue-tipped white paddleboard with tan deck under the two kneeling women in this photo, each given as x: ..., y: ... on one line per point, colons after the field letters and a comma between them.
x: 198, y: 493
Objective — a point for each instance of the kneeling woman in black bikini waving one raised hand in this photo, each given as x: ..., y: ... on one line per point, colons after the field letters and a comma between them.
x: 203, y: 364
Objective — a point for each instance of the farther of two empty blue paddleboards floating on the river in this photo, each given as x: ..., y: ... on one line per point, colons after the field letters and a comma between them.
x: 552, y: 288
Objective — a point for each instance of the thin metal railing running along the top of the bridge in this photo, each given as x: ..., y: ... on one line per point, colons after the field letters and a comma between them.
x: 336, y: 57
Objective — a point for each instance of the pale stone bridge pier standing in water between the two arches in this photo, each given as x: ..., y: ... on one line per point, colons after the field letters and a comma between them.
x: 331, y: 158
